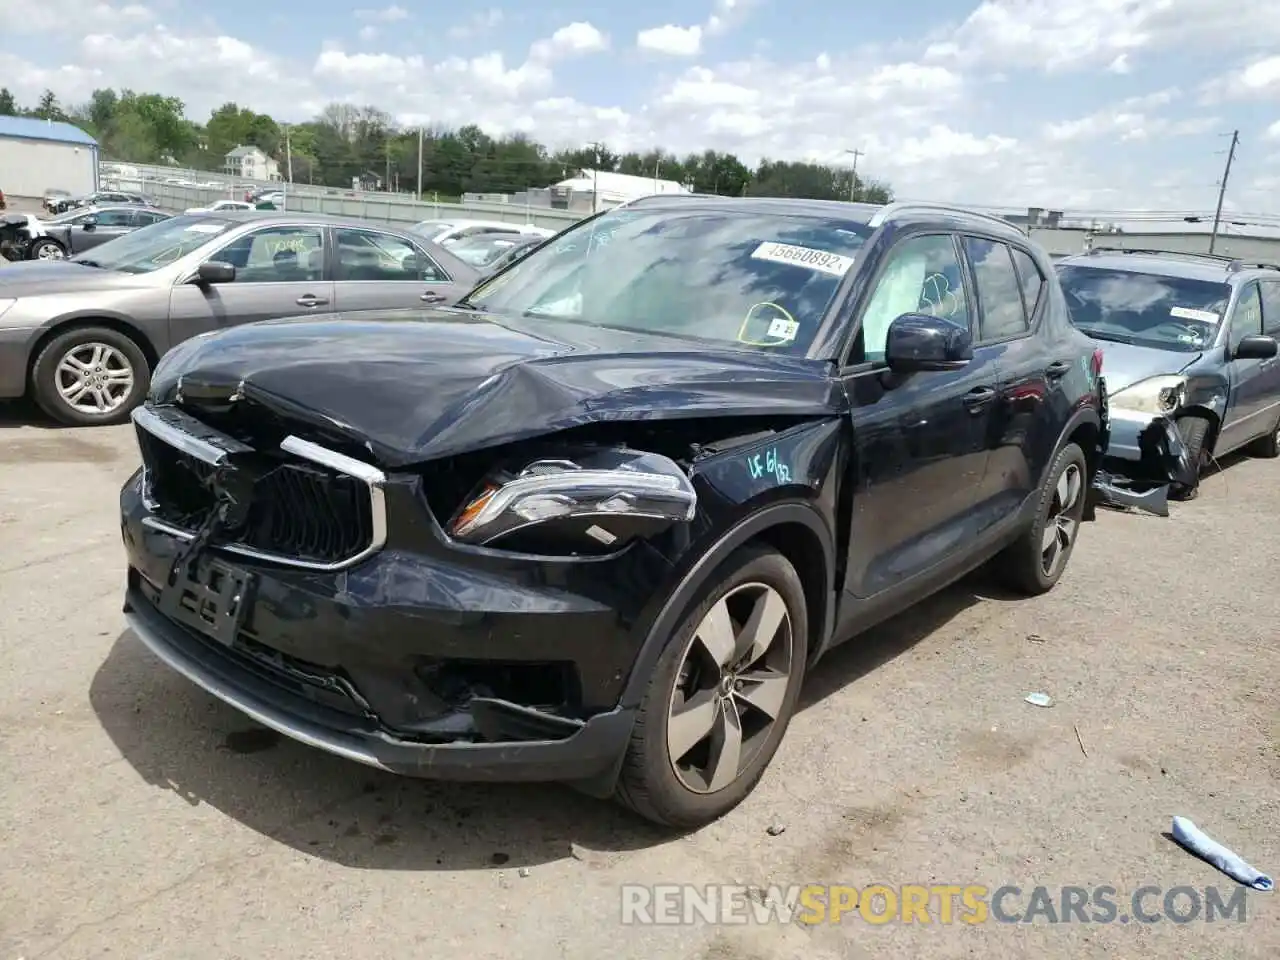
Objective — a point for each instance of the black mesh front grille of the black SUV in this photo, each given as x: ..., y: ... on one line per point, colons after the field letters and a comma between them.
x: 299, y: 513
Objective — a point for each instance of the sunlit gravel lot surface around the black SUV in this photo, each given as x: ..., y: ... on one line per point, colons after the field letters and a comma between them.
x: 145, y: 820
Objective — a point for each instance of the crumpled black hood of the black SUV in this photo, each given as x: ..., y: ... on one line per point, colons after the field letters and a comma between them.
x: 417, y: 386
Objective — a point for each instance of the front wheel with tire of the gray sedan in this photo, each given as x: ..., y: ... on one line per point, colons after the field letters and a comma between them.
x: 90, y: 377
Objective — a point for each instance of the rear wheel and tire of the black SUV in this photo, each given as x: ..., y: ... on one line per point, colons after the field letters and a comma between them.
x: 1036, y: 561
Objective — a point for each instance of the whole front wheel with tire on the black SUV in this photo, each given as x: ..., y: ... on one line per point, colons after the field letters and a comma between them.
x: 721, y: 696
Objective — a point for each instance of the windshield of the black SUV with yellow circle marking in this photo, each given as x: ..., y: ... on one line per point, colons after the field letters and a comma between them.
x: 740, y: 278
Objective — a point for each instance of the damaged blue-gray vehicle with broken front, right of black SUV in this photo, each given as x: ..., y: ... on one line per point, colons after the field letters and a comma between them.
x: 1190, y: 340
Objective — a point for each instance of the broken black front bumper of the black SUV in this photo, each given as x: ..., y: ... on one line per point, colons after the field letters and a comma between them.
x: 382, y: 664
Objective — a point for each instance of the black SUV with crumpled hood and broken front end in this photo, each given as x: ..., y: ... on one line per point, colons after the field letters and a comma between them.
x: 596, y: 523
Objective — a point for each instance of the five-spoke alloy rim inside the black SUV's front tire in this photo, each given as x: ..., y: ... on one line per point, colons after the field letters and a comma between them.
x: 732, y: 689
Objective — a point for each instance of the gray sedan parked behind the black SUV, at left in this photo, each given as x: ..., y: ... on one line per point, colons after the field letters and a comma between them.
x: 84, y: 335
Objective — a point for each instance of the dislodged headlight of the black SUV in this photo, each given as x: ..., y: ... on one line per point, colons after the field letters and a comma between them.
x: 600, y: 500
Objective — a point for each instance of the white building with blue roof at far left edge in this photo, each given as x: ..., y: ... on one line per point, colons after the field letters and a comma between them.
x: 39, y: 156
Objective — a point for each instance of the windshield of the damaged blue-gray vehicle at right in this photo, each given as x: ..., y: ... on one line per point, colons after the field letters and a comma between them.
x: 1150, y: 310
